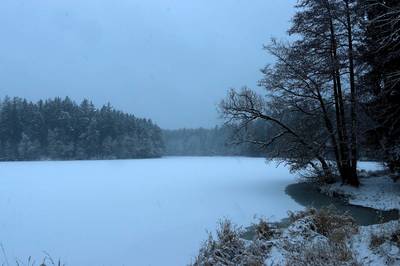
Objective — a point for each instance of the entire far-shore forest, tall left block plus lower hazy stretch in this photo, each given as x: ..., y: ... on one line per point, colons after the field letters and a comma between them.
x: 61, y: 129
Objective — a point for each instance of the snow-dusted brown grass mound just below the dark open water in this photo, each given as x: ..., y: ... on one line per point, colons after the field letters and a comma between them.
x: 319, y: 238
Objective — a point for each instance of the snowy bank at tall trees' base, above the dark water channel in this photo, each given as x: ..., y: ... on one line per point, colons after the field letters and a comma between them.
x: 378, y: 192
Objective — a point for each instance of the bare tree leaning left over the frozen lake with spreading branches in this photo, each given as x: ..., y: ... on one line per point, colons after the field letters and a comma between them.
x: 291, y: 139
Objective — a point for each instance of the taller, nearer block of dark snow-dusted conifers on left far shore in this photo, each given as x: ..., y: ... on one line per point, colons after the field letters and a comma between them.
x: 62, y: 129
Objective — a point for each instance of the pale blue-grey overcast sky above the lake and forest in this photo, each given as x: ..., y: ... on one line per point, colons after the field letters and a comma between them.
x: 168, y: 60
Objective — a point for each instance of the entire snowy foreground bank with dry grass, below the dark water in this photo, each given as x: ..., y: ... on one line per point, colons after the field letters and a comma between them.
x: 314, y: 237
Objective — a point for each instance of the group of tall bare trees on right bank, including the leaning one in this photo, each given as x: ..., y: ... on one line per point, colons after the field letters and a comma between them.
x: 310, y: 89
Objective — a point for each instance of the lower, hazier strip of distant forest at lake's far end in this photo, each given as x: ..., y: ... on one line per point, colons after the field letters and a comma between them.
x: 218, y: 141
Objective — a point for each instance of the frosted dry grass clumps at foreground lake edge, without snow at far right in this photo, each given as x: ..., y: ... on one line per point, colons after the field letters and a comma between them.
x: 331, y: 249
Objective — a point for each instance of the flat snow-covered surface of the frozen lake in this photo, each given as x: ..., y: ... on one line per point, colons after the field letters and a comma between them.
x: 132, y: 212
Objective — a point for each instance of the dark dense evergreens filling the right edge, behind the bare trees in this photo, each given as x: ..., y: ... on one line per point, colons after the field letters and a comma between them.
x: 381, y: 52
